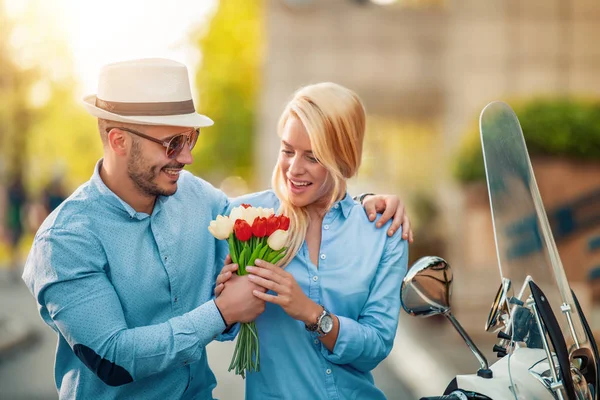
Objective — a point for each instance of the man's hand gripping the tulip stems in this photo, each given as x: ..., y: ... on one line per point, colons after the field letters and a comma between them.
x: 236, y: 301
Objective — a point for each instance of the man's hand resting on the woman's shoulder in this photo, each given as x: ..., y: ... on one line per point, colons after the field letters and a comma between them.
x: 391, y: 207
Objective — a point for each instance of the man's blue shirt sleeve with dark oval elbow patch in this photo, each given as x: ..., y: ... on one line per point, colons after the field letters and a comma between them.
x: 66, y: 274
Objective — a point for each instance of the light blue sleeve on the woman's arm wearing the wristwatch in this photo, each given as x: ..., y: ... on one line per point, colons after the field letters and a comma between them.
x: 365, y: 342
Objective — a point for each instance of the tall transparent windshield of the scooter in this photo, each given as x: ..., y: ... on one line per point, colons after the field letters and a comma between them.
x: 525, y: 246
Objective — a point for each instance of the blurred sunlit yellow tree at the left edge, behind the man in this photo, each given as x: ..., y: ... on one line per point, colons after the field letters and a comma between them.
x: 43, y: 130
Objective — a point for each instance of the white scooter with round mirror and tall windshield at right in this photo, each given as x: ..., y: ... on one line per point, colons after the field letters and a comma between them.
x: 546, y: 346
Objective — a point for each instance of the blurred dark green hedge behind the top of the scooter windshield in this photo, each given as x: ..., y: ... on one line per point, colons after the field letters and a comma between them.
x: 563, y: 127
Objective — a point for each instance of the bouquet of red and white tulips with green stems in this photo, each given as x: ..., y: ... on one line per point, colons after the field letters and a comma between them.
x: 252, y: 233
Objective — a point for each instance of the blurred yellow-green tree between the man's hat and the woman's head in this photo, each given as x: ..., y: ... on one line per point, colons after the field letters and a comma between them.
x: 228, y: 82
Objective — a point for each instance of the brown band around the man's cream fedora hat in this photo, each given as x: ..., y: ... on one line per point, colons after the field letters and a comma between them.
x: 163, y: 108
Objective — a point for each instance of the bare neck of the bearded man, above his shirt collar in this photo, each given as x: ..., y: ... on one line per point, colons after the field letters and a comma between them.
x: 126, y: 190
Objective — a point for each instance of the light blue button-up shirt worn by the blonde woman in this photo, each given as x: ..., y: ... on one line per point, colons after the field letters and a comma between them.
x: 358, y: 279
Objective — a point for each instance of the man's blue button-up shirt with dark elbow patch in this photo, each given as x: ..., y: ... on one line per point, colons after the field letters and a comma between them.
x: 129, y: 294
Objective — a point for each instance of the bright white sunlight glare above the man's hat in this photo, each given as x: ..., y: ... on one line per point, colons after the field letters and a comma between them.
x: 116, y: 30
